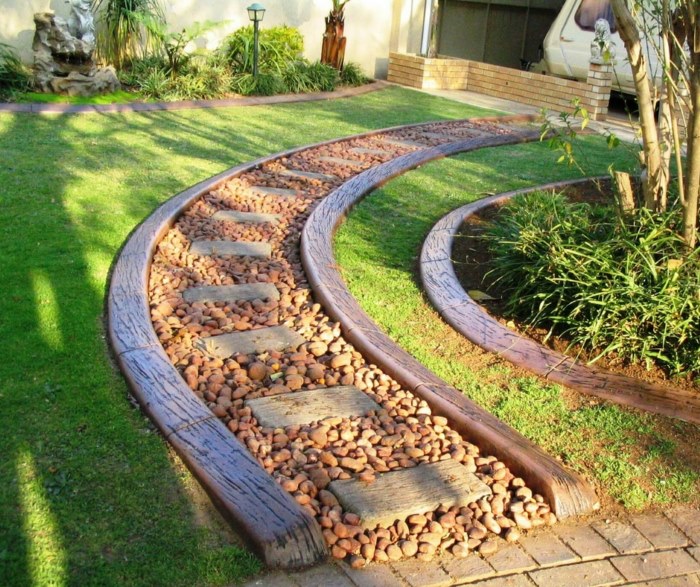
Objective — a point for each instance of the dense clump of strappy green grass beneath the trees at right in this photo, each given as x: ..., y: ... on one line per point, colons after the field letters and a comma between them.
x: 610, y: 284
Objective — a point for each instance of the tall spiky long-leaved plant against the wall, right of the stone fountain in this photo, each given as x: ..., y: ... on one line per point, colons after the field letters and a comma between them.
x: 121, y: 35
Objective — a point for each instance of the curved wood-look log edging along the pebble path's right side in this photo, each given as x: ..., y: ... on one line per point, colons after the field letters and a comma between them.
x: 567, y: 493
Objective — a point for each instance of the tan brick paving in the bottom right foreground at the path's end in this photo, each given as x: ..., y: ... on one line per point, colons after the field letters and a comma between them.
x: 648, y: 550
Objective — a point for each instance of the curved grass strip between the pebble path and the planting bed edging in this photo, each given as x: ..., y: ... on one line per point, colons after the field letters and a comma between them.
x: 635, y: 459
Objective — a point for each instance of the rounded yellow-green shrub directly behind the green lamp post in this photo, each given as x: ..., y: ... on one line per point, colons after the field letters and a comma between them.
x: 278, y: 46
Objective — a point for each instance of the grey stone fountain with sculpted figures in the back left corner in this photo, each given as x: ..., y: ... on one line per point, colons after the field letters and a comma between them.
x: 64, y: 54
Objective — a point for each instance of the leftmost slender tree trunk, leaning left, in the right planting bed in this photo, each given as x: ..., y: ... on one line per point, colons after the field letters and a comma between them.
x: 655, y: 182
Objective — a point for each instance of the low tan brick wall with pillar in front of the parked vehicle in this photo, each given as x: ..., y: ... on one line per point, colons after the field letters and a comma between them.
x: 526, y: 87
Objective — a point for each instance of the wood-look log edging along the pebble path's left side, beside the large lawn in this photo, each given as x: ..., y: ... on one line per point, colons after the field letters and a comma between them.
x: 275, y: 526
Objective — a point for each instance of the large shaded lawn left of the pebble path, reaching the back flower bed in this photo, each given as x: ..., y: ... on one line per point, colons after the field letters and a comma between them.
x: 89, y: 493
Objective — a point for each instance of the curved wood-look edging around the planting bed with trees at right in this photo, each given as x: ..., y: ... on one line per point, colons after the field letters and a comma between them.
x: 444, y: 290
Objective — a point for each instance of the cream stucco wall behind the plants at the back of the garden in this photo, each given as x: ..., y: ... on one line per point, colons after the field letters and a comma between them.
x: 372, y: 27
